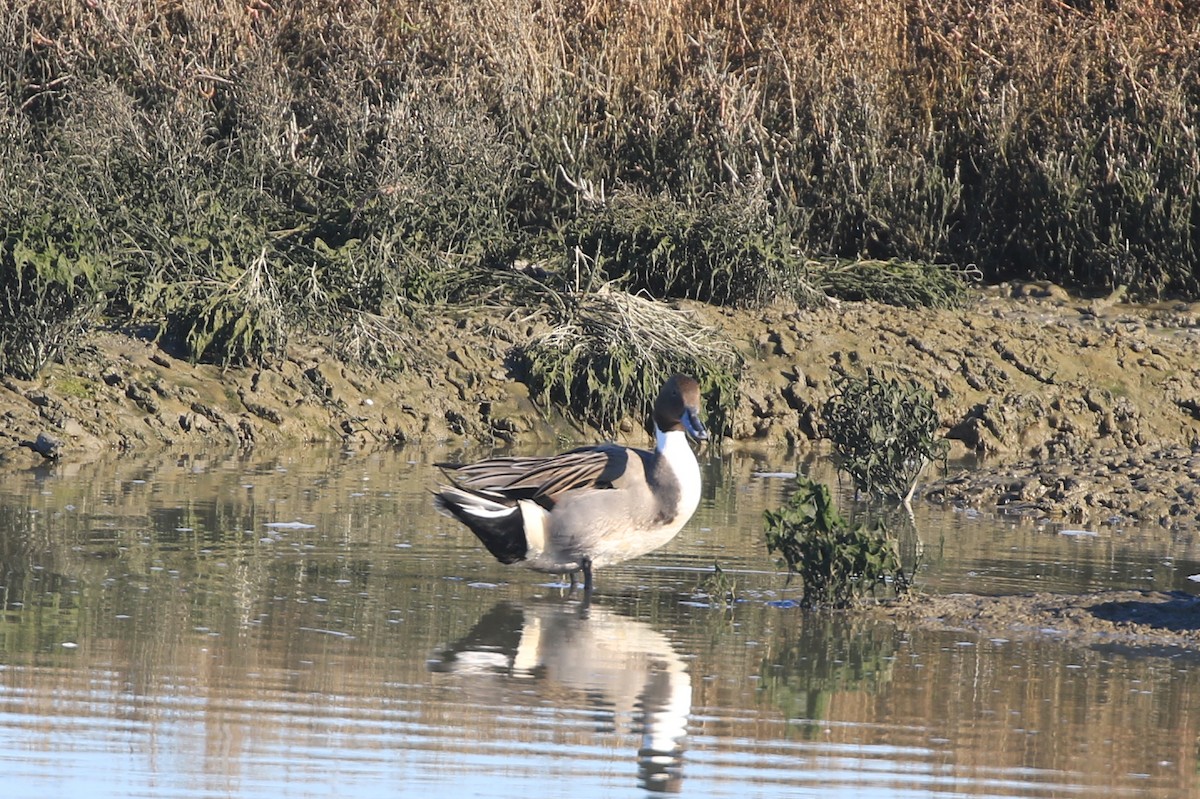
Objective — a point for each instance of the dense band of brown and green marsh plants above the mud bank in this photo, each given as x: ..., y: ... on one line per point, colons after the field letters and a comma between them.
x: 236, y: 176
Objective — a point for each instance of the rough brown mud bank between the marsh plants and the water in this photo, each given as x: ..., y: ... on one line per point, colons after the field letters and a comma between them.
x: 1082, y: 411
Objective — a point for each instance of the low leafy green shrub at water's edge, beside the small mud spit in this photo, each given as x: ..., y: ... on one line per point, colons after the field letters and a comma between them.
x: 838, y: 564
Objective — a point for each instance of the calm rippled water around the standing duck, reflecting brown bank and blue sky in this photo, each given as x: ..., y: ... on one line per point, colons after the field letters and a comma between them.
x: 304, y: 626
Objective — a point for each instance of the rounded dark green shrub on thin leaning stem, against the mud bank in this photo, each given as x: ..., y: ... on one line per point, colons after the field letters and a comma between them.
x: 885, y: 432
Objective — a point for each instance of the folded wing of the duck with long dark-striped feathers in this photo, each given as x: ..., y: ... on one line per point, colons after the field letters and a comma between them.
x: 544, y: 479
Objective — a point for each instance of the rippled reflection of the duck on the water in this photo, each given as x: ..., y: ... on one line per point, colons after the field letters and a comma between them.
x: 621, y: 669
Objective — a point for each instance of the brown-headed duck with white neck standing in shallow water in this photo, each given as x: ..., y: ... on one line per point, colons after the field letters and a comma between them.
x: 591, y: 507
